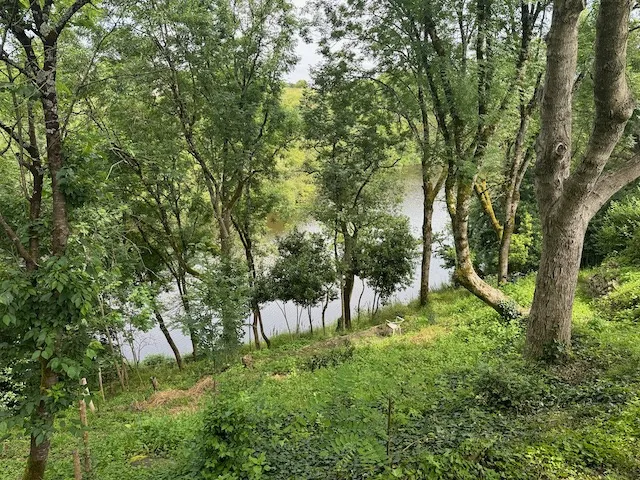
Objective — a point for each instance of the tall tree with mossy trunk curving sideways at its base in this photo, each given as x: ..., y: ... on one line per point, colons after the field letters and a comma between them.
x: 474, y: 68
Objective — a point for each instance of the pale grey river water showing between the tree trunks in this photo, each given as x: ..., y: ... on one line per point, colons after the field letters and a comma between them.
x: 274, y: 320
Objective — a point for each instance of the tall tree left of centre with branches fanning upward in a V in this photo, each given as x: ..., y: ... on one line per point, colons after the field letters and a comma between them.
x: 217, y: 68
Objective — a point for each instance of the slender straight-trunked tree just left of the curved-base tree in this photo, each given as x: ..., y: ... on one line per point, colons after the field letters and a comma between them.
x: 390, y: 34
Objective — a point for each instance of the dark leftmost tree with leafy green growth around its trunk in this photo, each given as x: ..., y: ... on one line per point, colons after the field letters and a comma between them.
x: 47, y: 293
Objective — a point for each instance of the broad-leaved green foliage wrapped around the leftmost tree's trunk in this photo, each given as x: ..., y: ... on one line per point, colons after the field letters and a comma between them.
x: 46, y: 322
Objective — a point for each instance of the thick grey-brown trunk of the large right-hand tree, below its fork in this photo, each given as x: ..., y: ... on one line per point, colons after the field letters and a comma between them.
x: 549, y: 332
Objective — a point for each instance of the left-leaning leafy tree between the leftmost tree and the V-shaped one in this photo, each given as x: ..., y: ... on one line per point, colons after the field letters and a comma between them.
x: 166, y: 216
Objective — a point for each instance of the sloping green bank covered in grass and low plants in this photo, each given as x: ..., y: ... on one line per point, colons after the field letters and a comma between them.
x: 451, y: 397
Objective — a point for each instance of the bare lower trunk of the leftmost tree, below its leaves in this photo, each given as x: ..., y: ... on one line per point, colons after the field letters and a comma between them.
x: 39, y: 452
